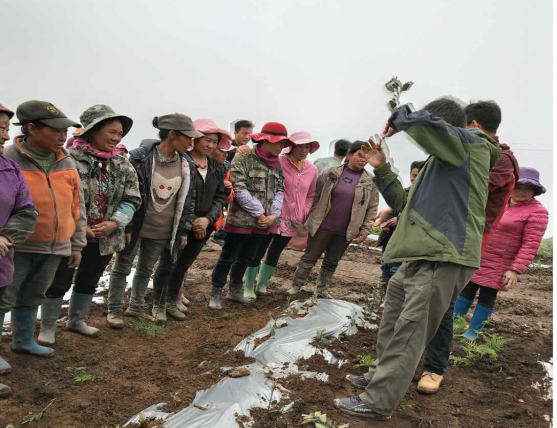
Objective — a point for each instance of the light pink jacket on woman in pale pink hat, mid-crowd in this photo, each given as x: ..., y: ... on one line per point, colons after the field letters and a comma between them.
x: 300, y: 189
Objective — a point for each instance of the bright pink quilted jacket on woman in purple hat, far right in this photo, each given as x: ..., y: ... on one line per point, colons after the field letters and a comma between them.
x: 515, y: 245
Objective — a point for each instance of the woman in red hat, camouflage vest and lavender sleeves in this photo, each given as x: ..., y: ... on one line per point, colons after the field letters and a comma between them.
x: 259, y: 194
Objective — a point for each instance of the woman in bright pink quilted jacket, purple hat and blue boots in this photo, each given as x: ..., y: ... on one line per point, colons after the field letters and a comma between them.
x: 513, y: 248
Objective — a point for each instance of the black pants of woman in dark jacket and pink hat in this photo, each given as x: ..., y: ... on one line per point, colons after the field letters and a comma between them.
x: 169, y: 276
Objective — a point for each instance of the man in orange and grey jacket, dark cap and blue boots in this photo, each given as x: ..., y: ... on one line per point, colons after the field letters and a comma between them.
x: 51, y: 174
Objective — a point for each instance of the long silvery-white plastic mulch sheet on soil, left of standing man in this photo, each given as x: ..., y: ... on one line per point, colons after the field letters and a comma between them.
x: 289, y: 341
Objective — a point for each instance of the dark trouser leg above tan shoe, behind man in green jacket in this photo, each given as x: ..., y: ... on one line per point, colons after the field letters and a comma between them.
x: 438, y: 352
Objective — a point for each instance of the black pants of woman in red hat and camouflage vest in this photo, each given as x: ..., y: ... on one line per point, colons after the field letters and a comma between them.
x: 238, y: 252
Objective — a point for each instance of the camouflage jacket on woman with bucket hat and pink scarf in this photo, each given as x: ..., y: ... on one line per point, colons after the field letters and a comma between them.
x: 122, y: 198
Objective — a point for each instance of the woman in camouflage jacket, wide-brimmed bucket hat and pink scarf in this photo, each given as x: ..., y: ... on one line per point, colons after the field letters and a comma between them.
x: 111, y: 192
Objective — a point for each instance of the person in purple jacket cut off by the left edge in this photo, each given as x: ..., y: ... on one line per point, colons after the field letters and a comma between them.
x: 18, y: 217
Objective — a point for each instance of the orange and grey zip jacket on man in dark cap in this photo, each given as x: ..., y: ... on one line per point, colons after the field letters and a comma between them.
x: 58, y: 196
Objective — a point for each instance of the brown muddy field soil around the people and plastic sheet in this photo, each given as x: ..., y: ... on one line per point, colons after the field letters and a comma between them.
x: 133, y: 370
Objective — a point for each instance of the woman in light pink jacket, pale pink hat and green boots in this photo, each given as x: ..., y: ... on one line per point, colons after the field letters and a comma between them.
x: 300, y: 182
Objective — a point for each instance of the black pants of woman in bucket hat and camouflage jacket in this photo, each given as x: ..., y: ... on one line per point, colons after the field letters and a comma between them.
x: 89, y: 273
